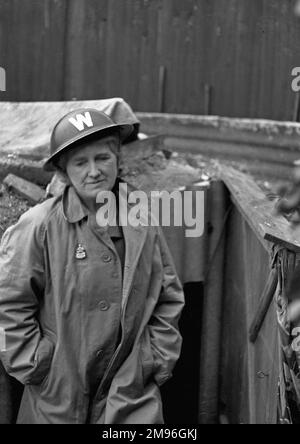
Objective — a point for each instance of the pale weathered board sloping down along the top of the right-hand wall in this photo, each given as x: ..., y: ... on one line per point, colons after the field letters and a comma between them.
x: 258, y: 211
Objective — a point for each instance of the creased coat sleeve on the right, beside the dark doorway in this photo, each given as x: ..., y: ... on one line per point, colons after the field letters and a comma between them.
x: 165, y: 337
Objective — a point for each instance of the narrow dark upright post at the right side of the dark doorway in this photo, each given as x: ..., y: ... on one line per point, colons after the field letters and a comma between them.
x: 212, y: 308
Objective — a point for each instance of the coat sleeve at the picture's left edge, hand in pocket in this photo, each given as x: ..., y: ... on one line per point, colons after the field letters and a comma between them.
x: 24, y: 352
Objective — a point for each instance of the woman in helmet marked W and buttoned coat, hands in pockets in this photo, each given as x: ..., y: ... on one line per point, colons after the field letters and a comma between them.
x: 88, y: 314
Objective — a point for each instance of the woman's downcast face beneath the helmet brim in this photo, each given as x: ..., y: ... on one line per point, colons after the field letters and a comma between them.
x: 93, y: 167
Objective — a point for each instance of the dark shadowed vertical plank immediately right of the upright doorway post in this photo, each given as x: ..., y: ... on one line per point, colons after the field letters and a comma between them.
x: 234, y: 356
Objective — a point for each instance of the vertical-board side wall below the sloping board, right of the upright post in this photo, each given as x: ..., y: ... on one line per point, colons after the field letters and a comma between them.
x: 249, y: 372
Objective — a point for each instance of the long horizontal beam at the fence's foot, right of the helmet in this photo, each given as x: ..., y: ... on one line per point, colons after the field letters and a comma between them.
x: 257, y: 132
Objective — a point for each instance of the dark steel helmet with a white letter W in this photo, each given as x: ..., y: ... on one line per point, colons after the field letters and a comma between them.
x: 78, y: 124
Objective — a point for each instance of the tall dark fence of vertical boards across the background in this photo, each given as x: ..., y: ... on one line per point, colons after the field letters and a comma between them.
x: 224, y: 57
